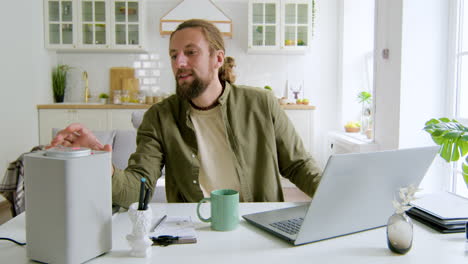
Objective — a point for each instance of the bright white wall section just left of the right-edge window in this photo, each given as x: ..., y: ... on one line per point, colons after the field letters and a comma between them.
x: 424, y: 78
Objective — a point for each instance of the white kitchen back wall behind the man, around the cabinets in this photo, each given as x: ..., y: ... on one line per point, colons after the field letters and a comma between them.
x: 317, y: 67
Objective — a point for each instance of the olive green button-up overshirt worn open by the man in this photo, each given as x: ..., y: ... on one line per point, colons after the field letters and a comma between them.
x: 263, y: 140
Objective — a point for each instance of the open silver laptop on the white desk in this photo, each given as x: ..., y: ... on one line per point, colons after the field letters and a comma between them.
x: 354, y: 195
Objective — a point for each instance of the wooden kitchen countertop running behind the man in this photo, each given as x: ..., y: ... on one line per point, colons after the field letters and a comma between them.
x: 138, y: 106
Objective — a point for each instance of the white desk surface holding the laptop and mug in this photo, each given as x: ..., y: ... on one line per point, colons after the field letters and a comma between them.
x: 247, y: 244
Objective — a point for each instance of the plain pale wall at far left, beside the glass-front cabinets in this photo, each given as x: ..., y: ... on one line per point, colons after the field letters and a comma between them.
x: 24, y: 77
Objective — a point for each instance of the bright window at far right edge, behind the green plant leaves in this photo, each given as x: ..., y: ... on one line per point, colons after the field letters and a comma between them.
x: 460, y: 87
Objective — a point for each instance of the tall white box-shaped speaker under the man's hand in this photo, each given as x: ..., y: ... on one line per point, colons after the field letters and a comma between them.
x: 68, y: 204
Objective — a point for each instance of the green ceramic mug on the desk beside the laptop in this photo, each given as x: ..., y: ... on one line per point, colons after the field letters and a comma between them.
x: 224, y: 209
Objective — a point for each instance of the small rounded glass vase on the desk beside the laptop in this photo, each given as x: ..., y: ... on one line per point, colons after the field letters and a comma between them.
x: 399, y: 233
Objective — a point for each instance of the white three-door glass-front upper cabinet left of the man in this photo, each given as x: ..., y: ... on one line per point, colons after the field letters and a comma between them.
x: 93, y: 24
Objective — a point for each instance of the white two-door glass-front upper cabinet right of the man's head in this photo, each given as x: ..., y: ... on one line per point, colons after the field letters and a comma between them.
x: 280, y: 25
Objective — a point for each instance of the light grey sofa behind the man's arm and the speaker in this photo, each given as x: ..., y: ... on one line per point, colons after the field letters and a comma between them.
x: 123, y: 144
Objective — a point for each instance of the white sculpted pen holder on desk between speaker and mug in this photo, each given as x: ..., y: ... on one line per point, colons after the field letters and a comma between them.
x: 139, y: 238
